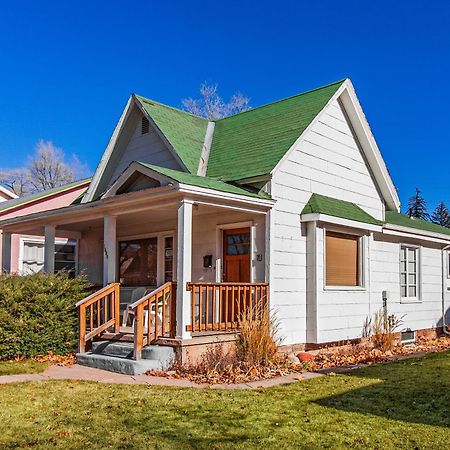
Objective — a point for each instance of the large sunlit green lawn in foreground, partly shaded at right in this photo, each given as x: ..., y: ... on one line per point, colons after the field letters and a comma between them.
x: 396, y: 405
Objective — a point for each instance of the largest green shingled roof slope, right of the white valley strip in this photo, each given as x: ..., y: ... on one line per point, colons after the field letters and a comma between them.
x: 253, y: 142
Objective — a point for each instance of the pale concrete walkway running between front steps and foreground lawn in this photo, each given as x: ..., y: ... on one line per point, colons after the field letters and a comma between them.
x: 82, y: 373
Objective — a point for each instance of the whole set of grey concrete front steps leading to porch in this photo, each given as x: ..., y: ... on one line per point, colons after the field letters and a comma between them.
x: 118, y: 357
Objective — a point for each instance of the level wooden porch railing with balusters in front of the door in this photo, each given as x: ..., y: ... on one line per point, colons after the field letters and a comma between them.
x: 218, y: 306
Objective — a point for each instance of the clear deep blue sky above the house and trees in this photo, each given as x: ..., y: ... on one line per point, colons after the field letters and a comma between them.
x: 67, y: 69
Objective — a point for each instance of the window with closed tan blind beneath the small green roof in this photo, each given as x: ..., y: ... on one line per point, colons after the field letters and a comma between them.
x: 342, y: 259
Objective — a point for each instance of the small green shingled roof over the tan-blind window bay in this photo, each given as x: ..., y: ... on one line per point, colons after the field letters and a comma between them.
x: 320, y: 204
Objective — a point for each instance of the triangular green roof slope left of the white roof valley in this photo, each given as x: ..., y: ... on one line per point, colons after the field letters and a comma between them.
x: 184, y: 131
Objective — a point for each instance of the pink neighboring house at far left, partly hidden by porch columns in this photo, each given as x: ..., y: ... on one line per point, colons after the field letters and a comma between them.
x: 27, y: 251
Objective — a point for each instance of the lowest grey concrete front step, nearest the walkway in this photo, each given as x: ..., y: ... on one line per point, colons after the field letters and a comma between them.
x: 117, y: 365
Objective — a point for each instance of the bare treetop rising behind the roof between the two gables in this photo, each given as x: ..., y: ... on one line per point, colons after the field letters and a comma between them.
x: 211, y: 105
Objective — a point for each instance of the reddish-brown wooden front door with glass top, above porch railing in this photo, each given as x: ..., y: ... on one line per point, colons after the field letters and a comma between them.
x: 236, y: 255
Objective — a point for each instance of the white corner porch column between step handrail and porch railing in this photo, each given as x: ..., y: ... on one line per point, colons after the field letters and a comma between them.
x: 184, y: 268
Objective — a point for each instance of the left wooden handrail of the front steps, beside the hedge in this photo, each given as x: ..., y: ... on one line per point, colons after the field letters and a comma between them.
x: 98, y: 312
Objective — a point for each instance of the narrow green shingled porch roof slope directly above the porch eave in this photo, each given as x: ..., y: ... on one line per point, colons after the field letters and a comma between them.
x: 205, y: 182
